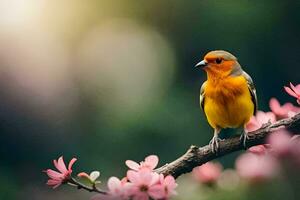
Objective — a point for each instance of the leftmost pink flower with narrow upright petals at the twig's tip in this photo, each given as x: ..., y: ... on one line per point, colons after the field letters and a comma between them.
x: 60, y: 176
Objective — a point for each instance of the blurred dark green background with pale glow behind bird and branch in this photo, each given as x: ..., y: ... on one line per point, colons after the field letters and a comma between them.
x: 106, y: 81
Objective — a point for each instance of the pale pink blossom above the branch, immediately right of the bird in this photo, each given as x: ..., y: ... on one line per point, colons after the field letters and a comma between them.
x: 259, y: 120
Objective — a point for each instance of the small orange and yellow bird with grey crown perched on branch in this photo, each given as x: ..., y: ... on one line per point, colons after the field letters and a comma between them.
x: 228, y: 96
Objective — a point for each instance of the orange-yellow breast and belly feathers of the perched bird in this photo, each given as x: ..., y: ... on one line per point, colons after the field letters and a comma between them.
x: 228, y: 103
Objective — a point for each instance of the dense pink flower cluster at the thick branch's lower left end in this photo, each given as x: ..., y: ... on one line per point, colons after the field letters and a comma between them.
x: 141, y: 183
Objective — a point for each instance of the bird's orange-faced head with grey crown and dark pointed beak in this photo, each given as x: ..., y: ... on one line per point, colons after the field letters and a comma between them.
x: 219, y: 62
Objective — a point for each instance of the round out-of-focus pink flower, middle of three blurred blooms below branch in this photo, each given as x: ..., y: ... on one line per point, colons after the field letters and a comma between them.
x: 256, y: 168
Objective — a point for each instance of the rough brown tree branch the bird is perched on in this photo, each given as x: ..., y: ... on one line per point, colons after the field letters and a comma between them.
x: 196, y: 156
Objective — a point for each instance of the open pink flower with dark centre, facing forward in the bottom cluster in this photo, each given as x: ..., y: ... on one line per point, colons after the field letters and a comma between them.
x: 144, y: 185
